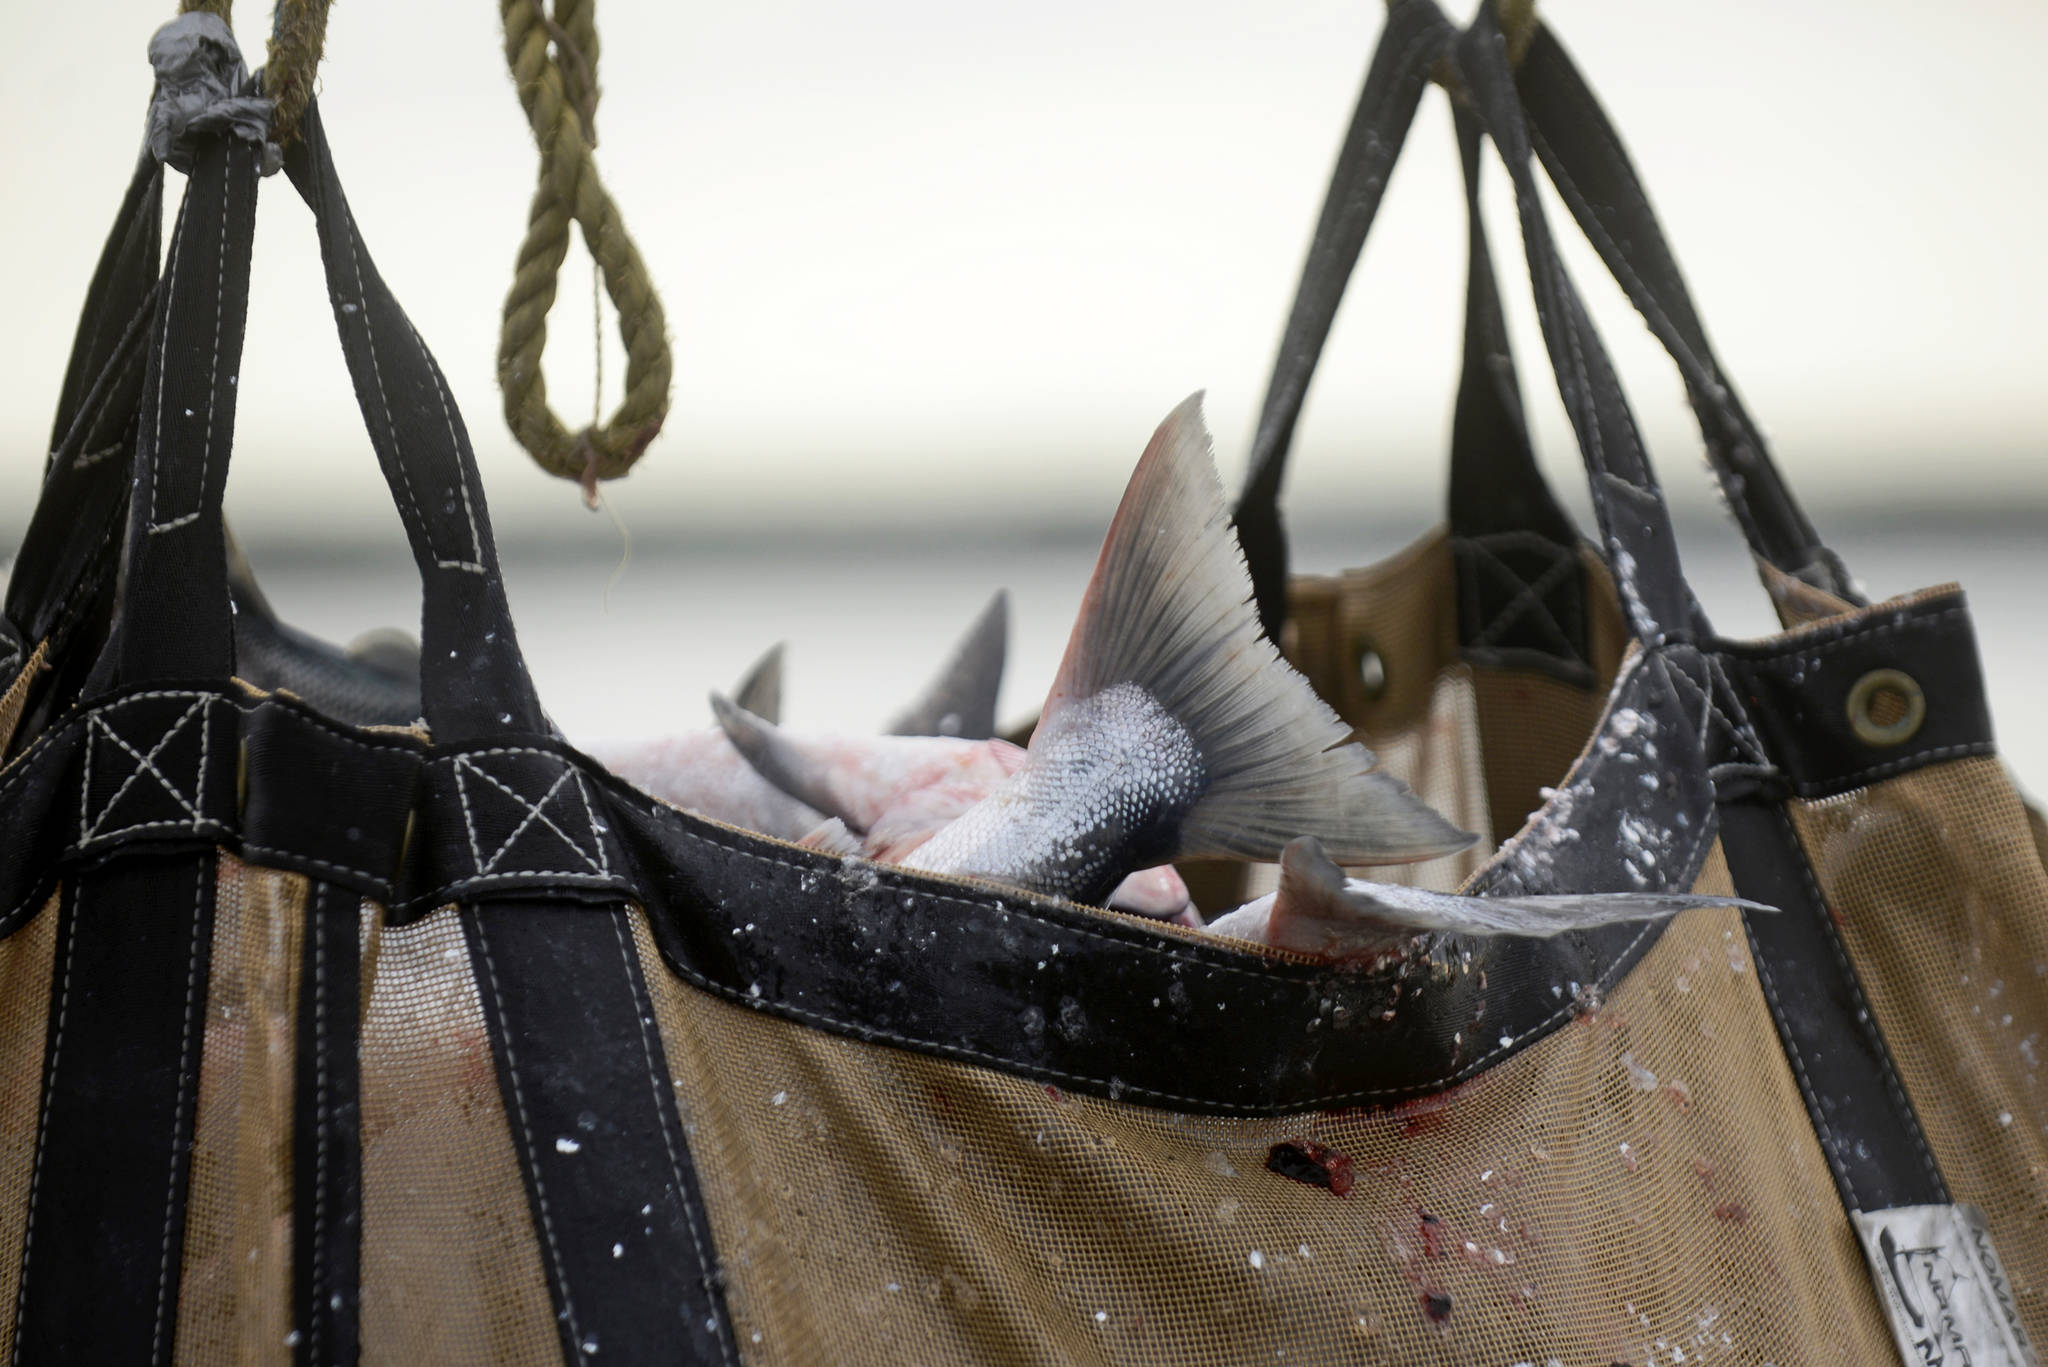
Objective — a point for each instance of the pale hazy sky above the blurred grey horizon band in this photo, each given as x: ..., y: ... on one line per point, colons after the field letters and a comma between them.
x: 939, y: 263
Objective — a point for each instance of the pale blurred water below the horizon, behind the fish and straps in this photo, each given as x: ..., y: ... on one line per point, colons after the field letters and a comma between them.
x: 634, y: 651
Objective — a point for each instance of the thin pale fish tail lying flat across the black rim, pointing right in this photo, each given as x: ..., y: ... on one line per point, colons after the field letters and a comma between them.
x: 1318, y: 907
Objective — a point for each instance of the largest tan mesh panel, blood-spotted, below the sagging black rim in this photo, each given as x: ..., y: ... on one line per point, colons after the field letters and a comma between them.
x: 1639, y: 1186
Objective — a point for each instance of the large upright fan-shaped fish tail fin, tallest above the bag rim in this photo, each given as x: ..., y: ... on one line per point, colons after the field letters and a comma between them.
x: 1170, y: 610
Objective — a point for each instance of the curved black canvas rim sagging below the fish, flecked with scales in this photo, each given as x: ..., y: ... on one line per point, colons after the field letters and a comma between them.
x: 1117, y: 1009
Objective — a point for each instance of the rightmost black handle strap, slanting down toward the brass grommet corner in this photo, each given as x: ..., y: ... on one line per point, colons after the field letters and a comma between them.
x: 1592, y: 173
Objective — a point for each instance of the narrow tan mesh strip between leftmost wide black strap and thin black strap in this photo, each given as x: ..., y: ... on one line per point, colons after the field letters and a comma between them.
x: 234, y: 1294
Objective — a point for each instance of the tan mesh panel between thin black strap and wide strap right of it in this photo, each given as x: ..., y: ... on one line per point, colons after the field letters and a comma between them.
x: 452, y: 1272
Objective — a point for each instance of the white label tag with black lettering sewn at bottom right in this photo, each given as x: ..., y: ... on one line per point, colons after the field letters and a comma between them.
x: 1945, y: 1288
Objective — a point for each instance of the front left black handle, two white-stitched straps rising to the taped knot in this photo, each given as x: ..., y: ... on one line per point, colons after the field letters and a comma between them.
x: 177, y: 620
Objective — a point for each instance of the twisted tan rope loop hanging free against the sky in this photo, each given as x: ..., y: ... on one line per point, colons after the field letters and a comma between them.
x: 554, y: 60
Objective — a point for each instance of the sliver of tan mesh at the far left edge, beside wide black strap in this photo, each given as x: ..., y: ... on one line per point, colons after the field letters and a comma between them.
x: 26, y: 964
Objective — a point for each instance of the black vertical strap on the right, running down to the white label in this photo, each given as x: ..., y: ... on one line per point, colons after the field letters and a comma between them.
x: 1861, y: 1114
